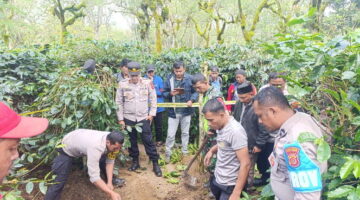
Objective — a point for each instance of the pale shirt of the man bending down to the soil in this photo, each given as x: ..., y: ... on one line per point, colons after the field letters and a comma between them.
x: 90, y: 143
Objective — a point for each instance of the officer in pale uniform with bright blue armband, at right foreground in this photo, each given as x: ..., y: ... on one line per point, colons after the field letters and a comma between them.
x: 295, y: 171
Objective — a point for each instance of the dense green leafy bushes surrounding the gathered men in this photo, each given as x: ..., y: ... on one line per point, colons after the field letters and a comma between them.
x: 323, y: 75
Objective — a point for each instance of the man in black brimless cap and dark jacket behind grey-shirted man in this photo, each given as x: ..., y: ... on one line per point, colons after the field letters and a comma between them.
x: 256, y: 134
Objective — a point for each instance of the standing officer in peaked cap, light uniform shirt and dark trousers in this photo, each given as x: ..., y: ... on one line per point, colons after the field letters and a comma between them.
x: 136, y: 98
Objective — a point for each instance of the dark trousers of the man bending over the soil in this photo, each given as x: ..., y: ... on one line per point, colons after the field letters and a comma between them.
x: 61, y: 167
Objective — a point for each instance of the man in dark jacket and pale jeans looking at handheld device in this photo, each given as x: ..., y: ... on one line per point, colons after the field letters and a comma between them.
x: 178, y: 89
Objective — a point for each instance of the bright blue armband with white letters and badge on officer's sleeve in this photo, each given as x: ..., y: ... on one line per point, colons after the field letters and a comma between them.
x: 304, y: 174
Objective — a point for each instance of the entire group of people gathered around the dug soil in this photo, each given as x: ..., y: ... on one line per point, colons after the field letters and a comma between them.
x: 259, y: 131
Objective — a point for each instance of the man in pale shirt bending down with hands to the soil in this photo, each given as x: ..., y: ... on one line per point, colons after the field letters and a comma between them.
x: 99, y: 147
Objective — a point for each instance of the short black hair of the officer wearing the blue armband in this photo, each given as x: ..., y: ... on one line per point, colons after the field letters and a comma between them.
x: 272, y: 96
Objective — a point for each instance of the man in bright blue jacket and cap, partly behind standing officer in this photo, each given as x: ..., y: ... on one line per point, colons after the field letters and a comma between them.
x: 159, y: 88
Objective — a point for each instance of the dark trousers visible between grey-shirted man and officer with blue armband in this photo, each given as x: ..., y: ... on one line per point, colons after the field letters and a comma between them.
x: 262, y: 162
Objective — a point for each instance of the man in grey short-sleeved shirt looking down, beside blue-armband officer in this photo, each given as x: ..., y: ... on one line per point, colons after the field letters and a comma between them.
x: 233, y: 163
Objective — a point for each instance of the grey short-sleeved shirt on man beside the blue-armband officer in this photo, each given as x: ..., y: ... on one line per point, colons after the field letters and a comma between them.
x: 229, y: 139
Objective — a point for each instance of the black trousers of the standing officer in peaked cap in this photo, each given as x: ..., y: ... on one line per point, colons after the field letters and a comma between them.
x: 146, y: 138
